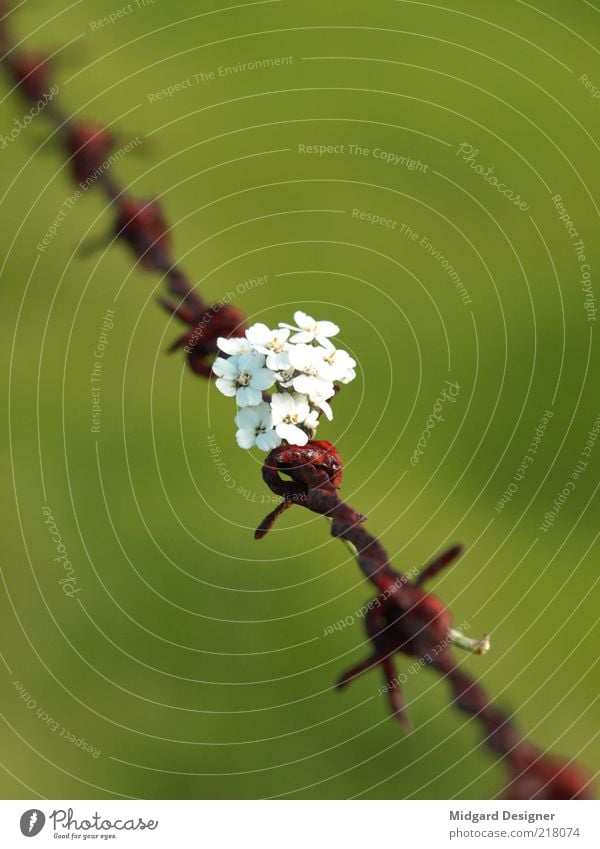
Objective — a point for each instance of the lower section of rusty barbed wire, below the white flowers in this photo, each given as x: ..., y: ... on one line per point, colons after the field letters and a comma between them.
x: 405, y: 619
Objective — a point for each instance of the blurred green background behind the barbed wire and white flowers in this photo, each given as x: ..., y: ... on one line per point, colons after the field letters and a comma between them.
x: 194, y: 660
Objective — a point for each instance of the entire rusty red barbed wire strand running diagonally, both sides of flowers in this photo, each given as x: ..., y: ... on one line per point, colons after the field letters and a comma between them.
x: 404, y: 618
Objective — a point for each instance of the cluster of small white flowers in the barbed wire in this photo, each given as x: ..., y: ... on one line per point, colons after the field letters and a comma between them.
x: 302, y: 365
